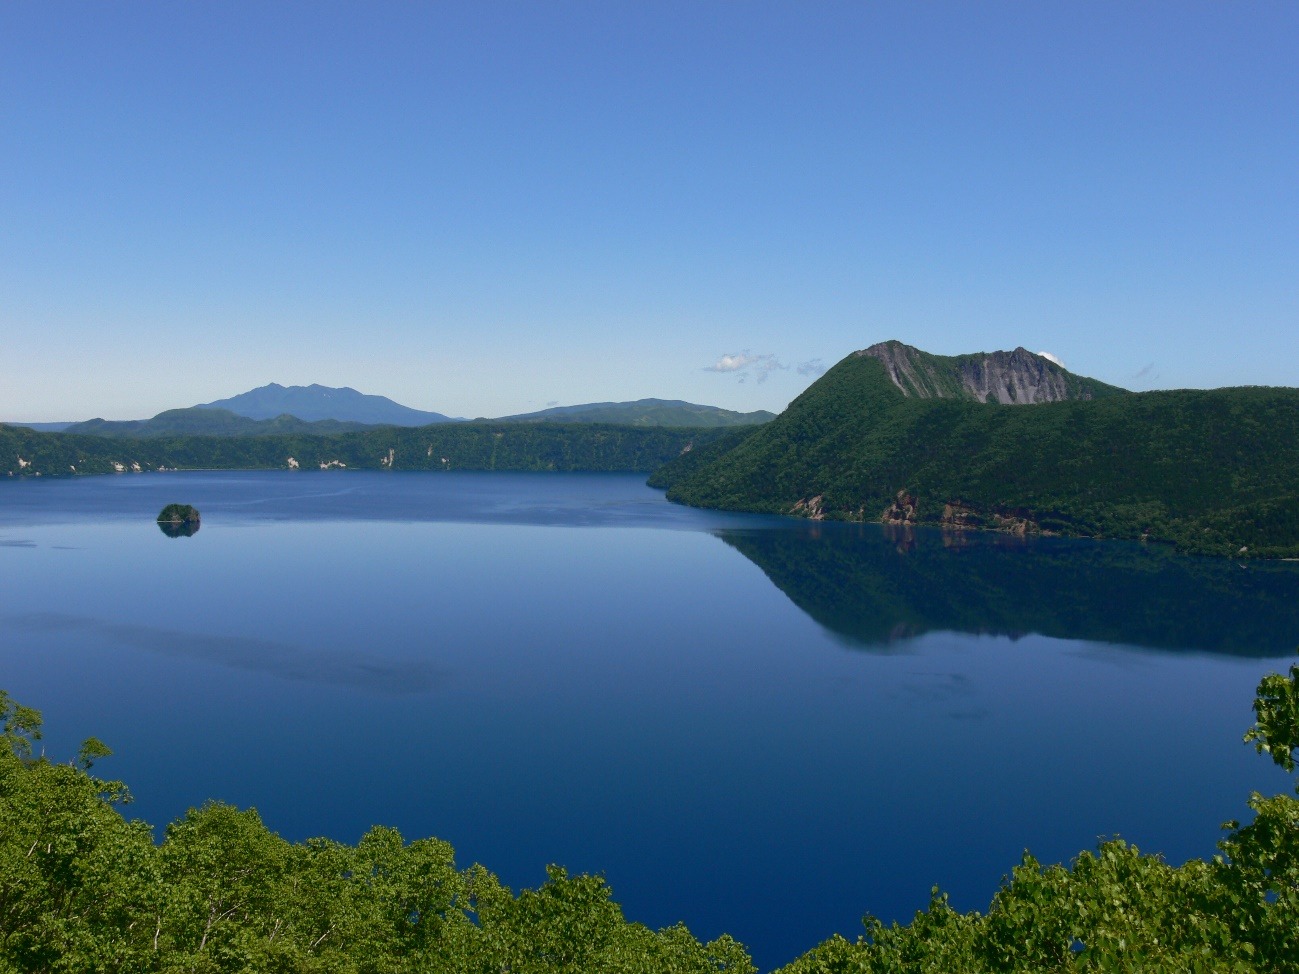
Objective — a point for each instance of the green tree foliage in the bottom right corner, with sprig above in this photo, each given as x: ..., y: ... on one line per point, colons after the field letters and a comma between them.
x: 1118, y: 910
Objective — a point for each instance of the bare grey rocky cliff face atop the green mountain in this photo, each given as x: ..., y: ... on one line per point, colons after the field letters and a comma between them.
x: 1011, y: 379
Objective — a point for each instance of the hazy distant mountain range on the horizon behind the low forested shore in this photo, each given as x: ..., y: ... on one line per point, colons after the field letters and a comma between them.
x: 324, y: 410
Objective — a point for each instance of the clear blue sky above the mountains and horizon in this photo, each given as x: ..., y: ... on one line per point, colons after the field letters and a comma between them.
x: 483, y: 208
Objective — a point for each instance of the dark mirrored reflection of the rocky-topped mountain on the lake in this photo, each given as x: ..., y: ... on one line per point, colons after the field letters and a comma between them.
x: 875, y: 586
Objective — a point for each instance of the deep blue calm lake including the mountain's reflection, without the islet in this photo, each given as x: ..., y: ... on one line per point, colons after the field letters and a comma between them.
x: 754, y: 725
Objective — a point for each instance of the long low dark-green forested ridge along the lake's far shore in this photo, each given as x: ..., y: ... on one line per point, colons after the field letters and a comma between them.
x: 442, y: 447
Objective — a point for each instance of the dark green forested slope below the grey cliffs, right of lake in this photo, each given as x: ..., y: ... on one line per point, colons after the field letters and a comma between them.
x: 1209, y: 471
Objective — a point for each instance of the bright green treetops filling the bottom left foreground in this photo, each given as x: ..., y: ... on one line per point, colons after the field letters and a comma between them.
x: 85, y: 890
